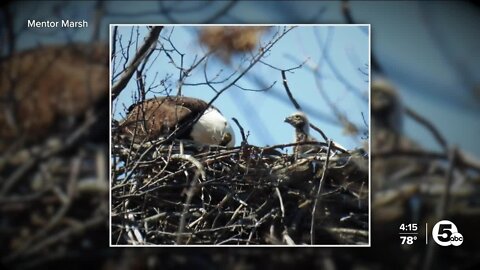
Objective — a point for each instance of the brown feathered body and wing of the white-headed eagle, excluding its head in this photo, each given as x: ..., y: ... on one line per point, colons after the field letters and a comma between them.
x: 158, y: 117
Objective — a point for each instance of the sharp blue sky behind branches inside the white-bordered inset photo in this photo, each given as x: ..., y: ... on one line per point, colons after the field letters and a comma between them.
x: 262, y: 113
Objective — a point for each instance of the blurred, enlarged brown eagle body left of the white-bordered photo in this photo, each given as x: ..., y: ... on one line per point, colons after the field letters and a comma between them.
x: 42, y: 86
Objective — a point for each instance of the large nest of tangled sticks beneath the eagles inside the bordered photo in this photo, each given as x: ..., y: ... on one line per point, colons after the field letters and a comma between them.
x: 183, y: 193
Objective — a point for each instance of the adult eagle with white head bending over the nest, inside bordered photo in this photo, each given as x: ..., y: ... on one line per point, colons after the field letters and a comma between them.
x: 159, y: 117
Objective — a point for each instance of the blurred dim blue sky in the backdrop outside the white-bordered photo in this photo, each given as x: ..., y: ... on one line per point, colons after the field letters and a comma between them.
x: 428, y: 50
